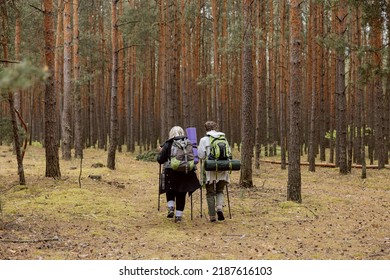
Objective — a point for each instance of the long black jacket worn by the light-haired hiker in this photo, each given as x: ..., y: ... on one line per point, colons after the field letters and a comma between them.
x: 178, y: 181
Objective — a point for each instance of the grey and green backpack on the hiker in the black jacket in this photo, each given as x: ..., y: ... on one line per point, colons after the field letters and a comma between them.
x: 182, y: 155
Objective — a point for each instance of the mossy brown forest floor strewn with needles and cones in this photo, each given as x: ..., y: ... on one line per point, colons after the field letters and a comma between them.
x: 342, y: 217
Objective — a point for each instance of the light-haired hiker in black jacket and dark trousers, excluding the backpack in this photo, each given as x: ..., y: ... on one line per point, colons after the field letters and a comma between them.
x: 180, y: 183
